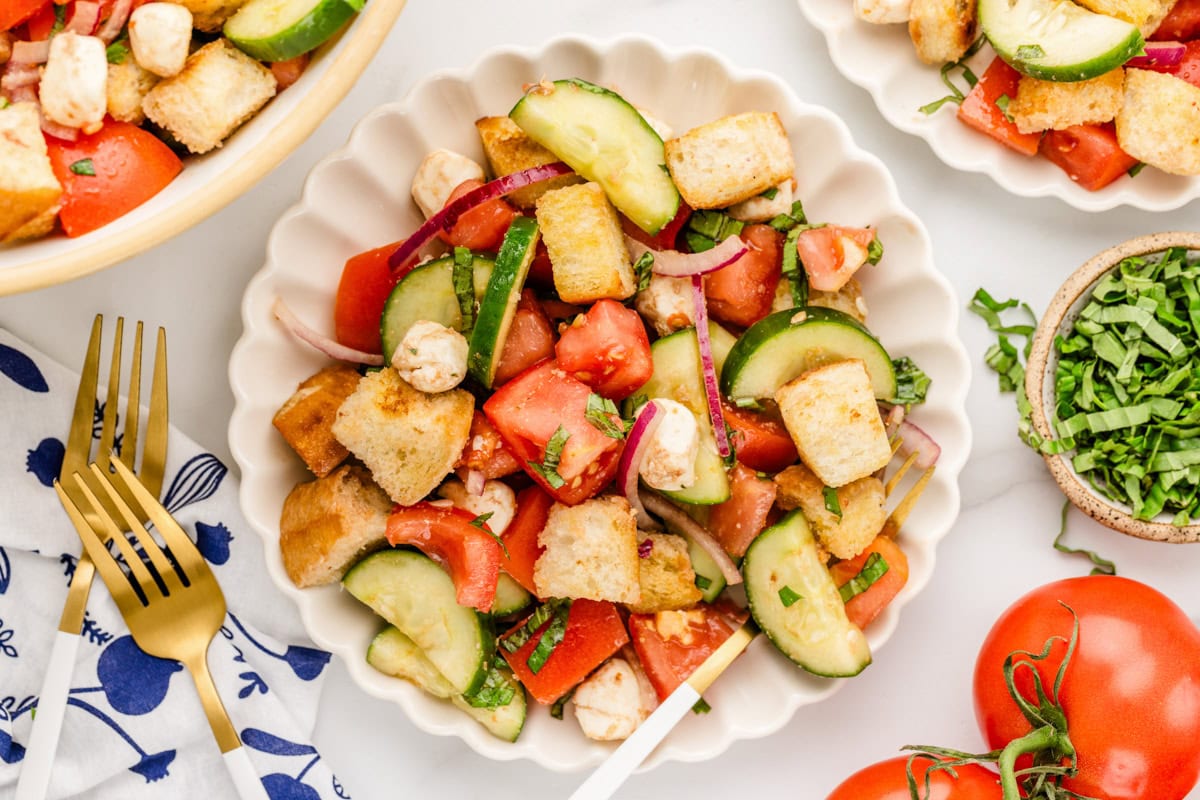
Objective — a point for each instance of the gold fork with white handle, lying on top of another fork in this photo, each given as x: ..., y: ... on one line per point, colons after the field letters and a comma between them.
x: 172, y: 605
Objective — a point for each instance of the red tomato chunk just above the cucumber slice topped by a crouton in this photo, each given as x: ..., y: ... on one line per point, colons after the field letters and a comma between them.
x: 741, y: 294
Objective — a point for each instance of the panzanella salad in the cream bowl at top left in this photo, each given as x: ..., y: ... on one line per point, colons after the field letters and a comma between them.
x: 99, y: 99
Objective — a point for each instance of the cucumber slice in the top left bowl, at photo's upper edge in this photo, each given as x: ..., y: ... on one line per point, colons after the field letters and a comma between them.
x: 278, y: 31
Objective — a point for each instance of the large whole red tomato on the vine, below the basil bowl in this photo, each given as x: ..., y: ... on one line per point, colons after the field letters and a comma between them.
x: 1131, y: 693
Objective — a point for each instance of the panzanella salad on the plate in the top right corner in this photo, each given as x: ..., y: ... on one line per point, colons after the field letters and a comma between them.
x: 1097, y: 87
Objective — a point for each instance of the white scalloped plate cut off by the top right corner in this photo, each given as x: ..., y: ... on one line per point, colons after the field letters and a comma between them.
x: 881, y: 61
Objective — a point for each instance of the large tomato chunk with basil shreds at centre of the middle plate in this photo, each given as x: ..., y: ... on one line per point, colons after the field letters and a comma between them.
x: 530, y: 410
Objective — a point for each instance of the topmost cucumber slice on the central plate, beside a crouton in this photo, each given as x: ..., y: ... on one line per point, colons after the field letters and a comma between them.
x: 605, y: 140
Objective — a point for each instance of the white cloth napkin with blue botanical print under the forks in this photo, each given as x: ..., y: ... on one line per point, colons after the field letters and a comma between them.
x: 134, y: 725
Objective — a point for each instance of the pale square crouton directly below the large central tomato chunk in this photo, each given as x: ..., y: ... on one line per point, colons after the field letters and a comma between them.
x: 591, y: 551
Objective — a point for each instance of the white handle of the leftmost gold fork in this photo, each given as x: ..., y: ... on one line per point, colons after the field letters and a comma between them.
x: 52, y: 705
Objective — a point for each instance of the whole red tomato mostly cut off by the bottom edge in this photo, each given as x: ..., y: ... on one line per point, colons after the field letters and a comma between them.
x: 890, y: 781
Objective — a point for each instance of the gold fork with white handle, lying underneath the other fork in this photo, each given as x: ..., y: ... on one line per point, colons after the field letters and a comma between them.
x: 37, y: 767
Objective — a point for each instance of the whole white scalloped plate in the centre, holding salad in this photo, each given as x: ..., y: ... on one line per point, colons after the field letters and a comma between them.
x: 358, y: 199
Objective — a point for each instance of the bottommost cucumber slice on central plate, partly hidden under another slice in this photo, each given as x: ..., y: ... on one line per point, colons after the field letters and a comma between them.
x: 394, y: 654
